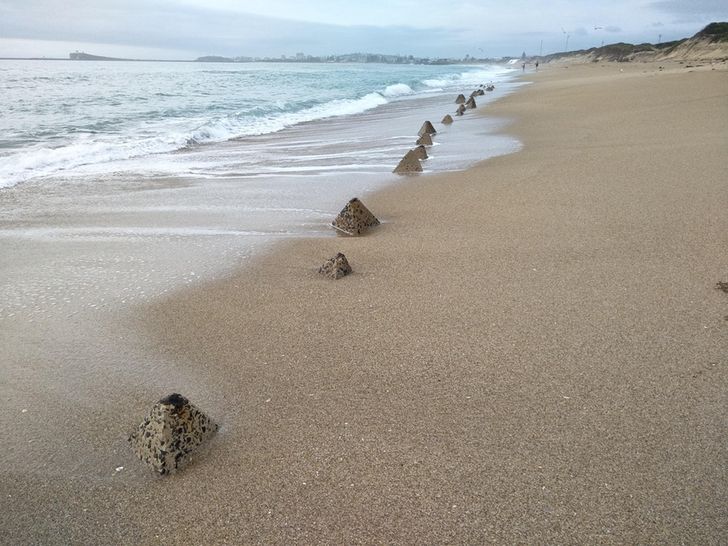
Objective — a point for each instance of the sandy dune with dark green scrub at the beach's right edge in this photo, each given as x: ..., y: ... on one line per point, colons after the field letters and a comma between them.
x: 711, y: 43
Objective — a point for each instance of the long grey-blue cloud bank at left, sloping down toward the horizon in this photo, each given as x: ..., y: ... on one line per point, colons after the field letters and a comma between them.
x: 190, y: 28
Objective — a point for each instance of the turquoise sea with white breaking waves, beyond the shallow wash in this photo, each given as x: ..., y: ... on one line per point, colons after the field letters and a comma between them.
x: 71, y: 118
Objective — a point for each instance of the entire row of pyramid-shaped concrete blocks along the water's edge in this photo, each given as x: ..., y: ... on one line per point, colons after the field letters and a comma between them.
x: 175, y: 427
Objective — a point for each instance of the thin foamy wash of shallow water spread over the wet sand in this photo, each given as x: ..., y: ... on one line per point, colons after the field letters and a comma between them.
x: 127, y: 238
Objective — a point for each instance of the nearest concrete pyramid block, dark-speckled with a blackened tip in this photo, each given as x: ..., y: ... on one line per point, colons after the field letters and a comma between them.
x: 173, y: 429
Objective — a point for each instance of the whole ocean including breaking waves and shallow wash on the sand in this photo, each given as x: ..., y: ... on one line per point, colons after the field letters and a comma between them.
x: 122, y: 180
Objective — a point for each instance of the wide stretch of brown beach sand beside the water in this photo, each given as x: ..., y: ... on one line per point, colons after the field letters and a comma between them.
x: 530, y: 351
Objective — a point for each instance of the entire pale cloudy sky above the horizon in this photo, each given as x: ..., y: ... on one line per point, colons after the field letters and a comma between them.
x: 187, y: 29
